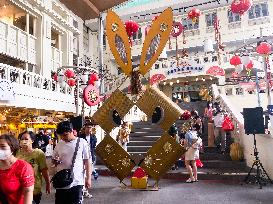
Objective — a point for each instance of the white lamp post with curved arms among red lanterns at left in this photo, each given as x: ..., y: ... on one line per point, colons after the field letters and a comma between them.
x: 80, y: 76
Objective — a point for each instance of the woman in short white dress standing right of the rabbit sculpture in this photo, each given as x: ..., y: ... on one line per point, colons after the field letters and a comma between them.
x: 192, y: 143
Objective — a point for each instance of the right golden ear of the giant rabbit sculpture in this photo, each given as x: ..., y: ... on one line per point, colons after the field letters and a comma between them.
x: 156, y: 40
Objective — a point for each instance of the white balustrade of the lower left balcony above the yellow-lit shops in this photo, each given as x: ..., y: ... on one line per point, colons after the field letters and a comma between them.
x: 31, y: 79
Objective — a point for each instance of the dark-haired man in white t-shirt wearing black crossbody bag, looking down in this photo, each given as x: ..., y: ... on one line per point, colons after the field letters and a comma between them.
x: 62, y: 157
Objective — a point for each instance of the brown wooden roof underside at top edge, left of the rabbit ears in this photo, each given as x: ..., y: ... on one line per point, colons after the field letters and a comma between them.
x: 90, y: 9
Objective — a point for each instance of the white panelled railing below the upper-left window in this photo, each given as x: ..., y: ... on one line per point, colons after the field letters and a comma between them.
x: 17, y: 43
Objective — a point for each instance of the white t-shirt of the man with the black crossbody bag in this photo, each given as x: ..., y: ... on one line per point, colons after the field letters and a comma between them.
x: 65, y: 150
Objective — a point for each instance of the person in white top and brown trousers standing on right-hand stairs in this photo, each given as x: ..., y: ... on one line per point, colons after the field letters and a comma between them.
x: 220, y: 135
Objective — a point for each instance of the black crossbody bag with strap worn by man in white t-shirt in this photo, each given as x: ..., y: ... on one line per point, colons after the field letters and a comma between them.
x: 65, y: 177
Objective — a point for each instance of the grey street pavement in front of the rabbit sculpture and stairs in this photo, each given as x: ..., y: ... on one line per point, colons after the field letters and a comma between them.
x: 107, y: 190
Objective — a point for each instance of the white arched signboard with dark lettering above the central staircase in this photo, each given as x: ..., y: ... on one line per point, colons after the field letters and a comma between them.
x: 184, y: 67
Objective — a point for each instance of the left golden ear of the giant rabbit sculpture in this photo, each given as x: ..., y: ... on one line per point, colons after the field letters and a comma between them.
x: 118, y: 41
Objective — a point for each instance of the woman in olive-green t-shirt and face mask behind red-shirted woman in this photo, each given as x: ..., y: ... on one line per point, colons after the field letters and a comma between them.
x: 36, y: 158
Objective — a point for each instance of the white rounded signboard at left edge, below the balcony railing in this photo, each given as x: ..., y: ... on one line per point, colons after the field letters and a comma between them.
x: 6, y: 90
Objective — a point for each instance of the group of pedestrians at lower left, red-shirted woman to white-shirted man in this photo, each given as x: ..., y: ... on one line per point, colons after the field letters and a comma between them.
x: 23, y: 165
